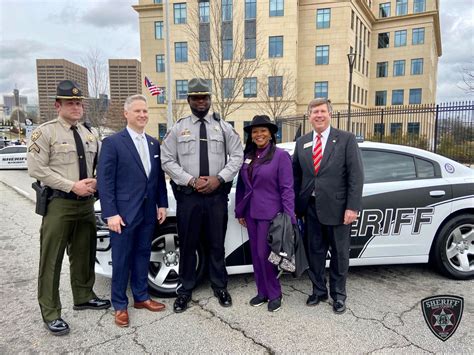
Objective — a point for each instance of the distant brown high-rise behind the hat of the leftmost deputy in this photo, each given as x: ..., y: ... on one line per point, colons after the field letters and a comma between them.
x: 49, y: 73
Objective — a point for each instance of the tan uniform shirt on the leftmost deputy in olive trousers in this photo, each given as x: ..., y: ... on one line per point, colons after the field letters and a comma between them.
x: 52, y: 155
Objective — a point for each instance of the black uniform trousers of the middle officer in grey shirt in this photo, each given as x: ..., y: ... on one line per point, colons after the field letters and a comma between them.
x: 206, y: 216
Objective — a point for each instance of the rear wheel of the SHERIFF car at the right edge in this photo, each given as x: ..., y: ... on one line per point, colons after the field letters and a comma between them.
x: 454, y: 248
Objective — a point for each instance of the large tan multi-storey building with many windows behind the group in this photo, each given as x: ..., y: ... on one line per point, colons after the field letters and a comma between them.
x: 301, y: 48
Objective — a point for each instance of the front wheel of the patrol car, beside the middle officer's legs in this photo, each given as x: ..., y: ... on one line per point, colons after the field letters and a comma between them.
x: 164, y: 262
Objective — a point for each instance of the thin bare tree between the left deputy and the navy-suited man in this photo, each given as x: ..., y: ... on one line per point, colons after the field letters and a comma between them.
x: 97, y: 105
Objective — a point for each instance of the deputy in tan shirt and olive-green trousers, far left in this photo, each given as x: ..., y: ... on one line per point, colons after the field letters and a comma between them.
x: 61, y: 154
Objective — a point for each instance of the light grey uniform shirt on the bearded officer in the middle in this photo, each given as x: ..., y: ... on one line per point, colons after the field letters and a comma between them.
x: 180, y: 149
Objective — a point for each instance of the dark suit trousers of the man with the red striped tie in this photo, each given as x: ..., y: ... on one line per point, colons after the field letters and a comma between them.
x: 319, y: 238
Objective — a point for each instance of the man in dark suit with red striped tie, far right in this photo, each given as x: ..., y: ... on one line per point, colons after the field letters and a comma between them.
x: 328, y: 178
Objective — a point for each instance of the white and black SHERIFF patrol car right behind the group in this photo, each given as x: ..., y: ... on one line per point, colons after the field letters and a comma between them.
x: 417, y: 207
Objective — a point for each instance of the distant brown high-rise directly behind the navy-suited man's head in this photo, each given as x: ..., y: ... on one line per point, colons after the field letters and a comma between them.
x: 125, y: 79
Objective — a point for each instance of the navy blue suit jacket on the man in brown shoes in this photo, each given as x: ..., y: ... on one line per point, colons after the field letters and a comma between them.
x: 122, y: 181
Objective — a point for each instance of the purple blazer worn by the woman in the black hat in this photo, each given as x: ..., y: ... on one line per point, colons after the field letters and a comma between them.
x: 270, y: 191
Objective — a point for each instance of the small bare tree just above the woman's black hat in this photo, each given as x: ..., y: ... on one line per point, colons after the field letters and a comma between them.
x: 276, y: 90
